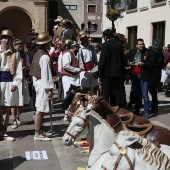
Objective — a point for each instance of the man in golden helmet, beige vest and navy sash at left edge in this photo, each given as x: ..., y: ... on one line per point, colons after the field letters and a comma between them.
x: 10, y: 77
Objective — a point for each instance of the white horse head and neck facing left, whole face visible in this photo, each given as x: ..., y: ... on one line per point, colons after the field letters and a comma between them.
x: 100, y: 135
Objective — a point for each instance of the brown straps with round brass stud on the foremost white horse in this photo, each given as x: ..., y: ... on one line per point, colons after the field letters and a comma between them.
x: 123, y: 152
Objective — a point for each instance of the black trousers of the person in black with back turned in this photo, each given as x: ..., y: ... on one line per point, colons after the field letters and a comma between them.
x: 113, y: 91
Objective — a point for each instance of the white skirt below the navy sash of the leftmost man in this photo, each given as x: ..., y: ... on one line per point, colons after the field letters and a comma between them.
x: 8, y: 98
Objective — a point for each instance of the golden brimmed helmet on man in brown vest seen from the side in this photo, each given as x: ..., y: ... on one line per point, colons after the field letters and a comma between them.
x: 43, y: 38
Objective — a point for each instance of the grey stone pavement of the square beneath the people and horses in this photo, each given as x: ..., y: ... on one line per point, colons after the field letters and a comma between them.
x: 60, y: 157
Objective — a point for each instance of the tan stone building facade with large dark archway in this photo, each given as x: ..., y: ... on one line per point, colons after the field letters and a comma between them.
x: 23, y: 16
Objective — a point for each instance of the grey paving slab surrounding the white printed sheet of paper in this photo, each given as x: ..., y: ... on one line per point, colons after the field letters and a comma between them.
x: 19, y: 162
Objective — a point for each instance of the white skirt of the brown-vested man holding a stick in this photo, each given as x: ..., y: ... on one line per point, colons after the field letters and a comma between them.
x: 42, y: 102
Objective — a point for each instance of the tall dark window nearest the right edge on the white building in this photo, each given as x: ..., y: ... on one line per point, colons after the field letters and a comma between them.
x: 159, y: 32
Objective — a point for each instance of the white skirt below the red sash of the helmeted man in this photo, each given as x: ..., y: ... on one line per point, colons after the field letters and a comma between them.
x: 87, y: 79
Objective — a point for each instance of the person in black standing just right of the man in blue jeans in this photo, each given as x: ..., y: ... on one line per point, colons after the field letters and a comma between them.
x: 156, y: 75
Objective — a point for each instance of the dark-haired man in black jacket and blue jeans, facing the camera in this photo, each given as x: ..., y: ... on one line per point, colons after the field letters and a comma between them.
x: 142, y: 64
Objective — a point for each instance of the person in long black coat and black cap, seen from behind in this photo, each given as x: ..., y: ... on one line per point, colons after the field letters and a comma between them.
x: 111, y: 70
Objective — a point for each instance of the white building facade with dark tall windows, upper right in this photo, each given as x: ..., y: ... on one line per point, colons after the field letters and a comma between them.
x: 147, y: 19
